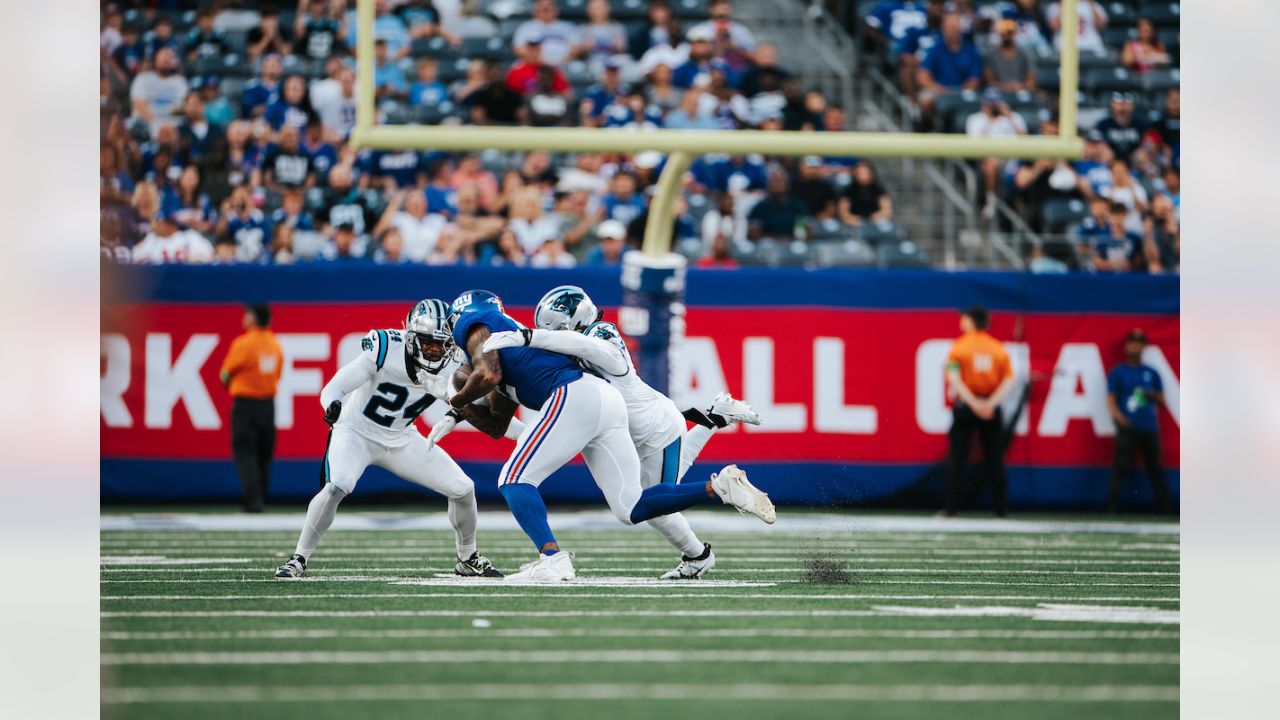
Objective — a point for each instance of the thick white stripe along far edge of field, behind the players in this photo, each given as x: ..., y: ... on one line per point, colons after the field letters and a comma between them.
x: 708, y: 522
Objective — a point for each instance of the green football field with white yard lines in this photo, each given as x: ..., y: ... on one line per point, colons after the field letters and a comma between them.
x: 849, y: 616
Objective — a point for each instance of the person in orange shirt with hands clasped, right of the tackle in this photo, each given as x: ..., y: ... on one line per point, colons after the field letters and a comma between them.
x: 981, y: 376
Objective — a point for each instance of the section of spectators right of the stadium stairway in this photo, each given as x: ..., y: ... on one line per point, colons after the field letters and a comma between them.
x: 990, y: 70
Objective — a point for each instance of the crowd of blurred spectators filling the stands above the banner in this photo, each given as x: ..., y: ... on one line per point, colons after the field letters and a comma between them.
x: 225, y: 133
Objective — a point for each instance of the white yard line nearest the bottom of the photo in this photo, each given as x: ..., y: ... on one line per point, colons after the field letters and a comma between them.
x: 680, y: 692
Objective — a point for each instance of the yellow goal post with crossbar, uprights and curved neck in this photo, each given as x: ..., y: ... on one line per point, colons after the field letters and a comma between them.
x: 682, y: 147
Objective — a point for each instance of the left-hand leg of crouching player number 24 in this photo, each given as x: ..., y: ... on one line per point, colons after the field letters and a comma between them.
x: 345, y: 462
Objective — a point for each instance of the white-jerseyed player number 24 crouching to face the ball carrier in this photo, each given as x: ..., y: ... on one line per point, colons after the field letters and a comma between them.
x: 372, y: 405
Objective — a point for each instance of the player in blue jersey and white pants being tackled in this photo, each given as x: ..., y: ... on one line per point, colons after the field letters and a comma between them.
x: 577, y: 412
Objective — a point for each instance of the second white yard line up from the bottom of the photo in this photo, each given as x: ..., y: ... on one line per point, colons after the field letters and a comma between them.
x: 556, y: 658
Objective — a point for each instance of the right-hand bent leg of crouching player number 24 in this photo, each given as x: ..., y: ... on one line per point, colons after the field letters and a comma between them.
x: 433, y: 470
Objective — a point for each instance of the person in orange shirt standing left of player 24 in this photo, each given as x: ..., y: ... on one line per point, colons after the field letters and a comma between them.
x: 252, y: 375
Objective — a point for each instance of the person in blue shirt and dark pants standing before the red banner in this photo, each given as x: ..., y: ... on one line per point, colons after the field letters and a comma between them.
x: 1135, y: 394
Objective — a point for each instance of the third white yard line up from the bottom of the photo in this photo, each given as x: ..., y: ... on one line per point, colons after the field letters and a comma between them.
x: 552, y: 634
